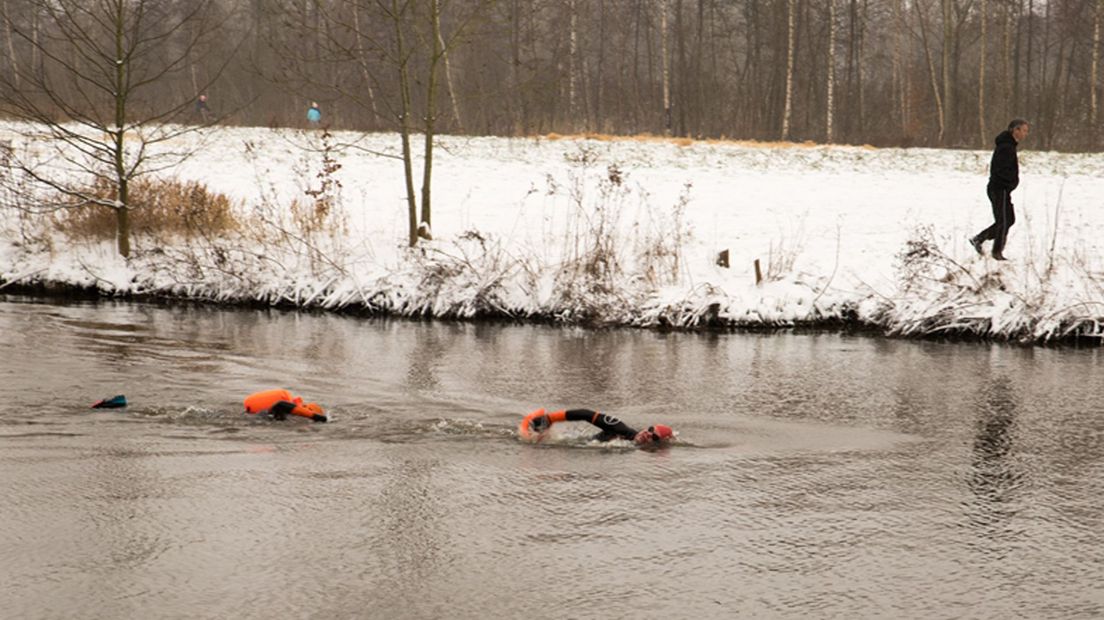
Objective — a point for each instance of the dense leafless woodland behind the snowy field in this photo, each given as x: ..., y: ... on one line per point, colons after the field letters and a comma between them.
x: 884, y: 72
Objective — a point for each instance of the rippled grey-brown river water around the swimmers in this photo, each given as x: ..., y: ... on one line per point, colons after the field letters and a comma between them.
x: 816, y: 476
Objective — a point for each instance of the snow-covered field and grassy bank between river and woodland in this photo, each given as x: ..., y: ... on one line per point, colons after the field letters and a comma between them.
x: 620, y: 232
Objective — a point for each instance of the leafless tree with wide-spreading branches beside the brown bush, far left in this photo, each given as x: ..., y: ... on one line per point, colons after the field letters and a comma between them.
x: 99, y: 93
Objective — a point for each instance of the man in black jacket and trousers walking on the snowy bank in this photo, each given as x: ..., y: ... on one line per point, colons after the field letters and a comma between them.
x: 1004, y: 178
